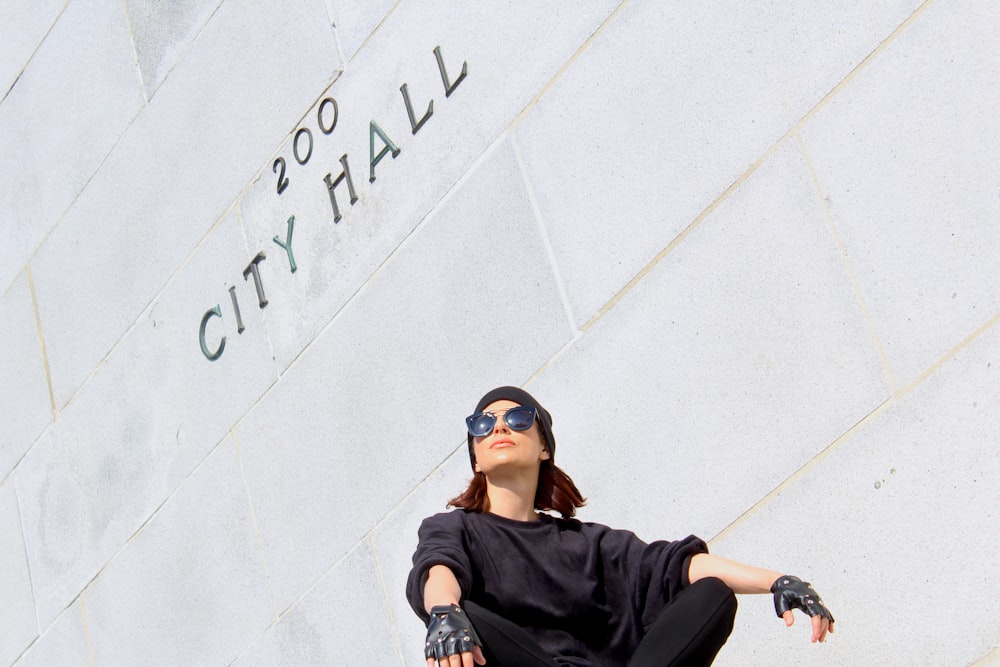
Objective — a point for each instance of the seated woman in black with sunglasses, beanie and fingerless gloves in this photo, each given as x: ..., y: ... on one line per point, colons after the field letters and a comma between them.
x: 502, y: 583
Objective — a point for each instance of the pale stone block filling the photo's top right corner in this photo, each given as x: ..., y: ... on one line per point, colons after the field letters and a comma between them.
x: 906, y: 154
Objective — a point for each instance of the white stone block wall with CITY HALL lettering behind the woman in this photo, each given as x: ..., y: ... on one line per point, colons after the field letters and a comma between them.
x: 747, y: 253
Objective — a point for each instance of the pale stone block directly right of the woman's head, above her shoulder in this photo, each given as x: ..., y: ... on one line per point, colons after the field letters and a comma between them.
x: 738, y: 358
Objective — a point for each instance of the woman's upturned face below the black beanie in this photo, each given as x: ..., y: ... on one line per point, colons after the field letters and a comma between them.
x: 504, y: 450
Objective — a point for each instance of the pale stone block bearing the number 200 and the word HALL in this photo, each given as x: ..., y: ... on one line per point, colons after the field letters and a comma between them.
x: 335, y: 258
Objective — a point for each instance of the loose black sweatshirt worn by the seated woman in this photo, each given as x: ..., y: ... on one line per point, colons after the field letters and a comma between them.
x: 587, y: 593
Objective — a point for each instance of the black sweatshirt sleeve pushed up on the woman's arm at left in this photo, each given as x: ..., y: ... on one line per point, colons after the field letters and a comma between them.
x: 441, y: 541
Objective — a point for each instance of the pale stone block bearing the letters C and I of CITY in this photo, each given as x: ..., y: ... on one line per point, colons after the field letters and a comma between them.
x: 142, y: 423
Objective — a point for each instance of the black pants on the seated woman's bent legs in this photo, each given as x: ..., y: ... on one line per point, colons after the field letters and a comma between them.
x: 690, y: 631
